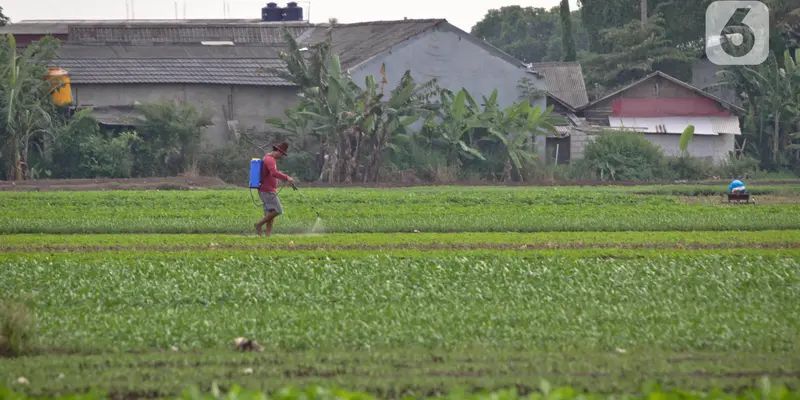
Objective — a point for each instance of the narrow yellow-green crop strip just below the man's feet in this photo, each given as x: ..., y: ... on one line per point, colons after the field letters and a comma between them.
x: 385, y: 241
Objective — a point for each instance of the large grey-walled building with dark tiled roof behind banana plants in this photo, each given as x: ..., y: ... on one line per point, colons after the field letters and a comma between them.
x: 214, y: 63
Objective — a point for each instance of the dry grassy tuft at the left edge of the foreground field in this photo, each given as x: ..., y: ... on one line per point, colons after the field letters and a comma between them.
x: 16, y: 329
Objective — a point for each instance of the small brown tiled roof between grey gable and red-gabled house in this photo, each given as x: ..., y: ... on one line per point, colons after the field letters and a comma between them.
x: 564, y: 81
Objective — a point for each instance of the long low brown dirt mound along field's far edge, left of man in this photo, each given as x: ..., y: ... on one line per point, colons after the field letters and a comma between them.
x: 166, y: 183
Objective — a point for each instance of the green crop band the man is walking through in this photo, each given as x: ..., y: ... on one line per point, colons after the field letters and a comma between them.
x: 351, y: 211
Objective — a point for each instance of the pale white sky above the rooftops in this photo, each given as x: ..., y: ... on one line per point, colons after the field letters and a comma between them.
x: 463, y: 14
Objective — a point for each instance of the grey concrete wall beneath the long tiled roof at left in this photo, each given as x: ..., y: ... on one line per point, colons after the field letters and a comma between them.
x: 251, y: 105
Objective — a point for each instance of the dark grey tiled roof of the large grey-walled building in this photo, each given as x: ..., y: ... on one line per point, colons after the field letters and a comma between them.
x: 103, y: 59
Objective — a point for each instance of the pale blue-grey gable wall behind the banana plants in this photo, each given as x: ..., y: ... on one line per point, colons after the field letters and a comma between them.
x: 456, y: 60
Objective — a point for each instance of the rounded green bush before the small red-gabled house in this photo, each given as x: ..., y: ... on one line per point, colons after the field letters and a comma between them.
x: 626, y: 156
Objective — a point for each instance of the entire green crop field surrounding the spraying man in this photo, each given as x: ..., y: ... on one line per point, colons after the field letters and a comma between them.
x: 404, y: 292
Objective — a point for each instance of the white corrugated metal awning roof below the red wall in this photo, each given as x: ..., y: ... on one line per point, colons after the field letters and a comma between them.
x: 710, y: 126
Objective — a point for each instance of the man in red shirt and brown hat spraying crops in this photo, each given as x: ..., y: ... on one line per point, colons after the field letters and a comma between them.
x: 269, y: 182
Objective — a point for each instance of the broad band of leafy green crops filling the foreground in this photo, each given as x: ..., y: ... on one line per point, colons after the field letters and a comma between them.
x: 740, y: 299
